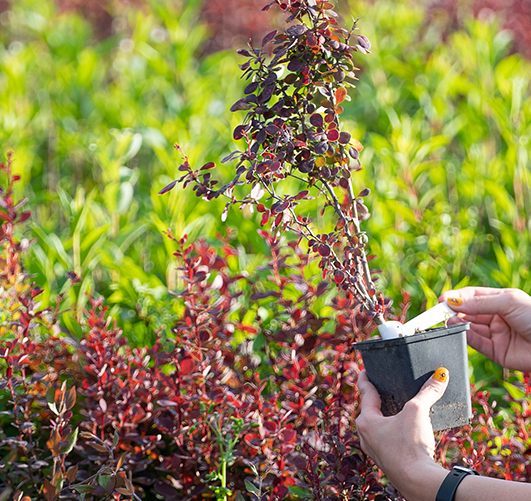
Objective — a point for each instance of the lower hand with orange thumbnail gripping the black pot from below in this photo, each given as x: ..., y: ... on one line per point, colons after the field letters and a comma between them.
x: 403, y: 445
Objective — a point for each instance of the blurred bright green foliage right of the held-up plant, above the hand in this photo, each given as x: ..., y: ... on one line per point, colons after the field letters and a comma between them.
x: 447, y: 127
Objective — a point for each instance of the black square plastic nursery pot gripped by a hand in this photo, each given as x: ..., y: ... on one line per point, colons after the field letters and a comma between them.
x: 399, y: 367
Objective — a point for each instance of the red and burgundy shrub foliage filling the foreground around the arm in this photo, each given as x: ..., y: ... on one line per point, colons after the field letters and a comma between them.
x: 251, y: 394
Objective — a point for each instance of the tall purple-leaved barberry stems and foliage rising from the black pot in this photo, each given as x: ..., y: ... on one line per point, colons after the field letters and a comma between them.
x: 298, y: 80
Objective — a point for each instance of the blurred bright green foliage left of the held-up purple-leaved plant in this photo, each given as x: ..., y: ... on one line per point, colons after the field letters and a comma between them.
x: 93, y: 125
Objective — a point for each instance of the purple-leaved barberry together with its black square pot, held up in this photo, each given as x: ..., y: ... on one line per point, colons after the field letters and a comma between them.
x: 292, y: 133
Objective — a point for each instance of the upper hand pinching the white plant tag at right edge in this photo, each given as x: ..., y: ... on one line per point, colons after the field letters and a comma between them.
x: 500, y: 323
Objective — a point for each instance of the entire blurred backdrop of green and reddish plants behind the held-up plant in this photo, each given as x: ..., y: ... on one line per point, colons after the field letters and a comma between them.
x: 92, y: 104
